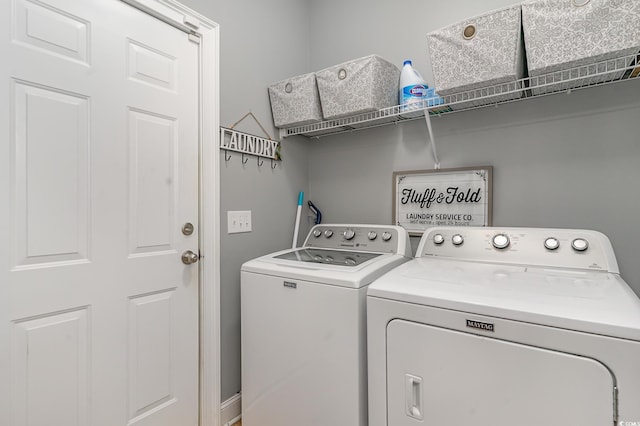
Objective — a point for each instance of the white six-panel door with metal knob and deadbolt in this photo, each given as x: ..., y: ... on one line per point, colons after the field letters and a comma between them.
x: 98, y: 174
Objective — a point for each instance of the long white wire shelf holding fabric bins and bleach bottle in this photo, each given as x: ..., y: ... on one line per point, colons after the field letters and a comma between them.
x: 579, y: 77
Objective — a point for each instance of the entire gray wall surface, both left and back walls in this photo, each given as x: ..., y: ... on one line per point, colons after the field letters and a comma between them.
x: 559, y: 161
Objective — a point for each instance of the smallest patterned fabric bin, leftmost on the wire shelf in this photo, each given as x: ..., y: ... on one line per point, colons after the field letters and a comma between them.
x: 295, y: 101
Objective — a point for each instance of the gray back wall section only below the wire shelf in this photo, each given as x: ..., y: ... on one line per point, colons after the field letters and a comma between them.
x: 551, y: 168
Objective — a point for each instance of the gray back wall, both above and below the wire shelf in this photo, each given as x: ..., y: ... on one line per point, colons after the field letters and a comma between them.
x: 559, y: 161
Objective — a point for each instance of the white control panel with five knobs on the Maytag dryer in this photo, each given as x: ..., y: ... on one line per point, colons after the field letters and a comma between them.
x: 544, y: 247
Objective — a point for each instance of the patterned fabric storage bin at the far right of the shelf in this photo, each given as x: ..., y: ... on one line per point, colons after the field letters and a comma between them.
x: 561, y: 35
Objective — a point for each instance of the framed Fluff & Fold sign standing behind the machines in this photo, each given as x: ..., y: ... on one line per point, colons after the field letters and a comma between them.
x: 442, y: 197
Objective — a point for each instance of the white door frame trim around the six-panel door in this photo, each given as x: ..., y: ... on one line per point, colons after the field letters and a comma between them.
x: 180, y: 16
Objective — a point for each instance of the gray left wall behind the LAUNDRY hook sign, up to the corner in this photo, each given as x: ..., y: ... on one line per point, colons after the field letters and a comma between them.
x: 260, y: 42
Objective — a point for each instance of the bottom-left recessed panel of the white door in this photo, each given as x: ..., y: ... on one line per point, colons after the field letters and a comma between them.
x: 44, y: 395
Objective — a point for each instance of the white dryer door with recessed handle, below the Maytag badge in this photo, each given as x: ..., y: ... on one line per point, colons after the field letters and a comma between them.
x: 437, y: 376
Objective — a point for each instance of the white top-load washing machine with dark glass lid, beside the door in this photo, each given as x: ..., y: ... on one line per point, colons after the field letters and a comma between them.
x: 304, y: 326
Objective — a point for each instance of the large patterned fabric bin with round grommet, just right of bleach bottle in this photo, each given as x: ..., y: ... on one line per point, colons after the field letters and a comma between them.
x: 480, y: 57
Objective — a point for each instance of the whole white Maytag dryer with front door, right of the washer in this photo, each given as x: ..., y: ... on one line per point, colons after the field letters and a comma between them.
x: 503, y: 327
